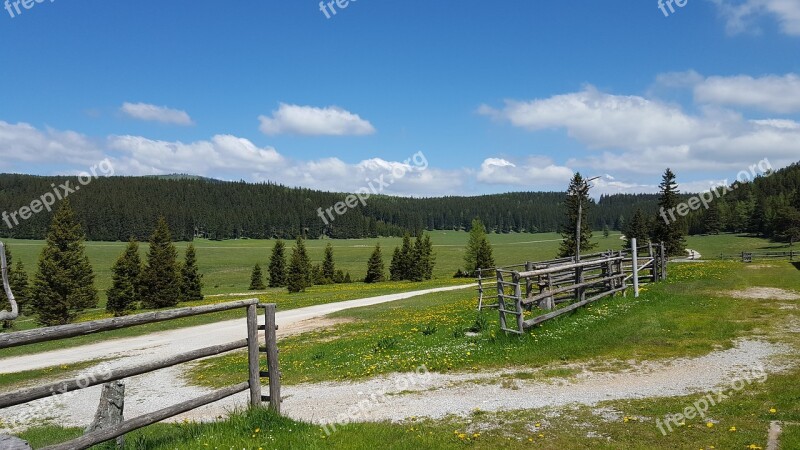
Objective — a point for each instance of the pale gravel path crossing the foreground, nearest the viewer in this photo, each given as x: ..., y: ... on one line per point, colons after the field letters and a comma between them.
x: 401, y: 396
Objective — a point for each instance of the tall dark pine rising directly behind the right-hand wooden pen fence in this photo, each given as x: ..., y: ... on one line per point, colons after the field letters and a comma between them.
x: 577, y: 200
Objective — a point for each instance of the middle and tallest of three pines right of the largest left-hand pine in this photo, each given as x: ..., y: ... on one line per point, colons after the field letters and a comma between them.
x: 161, y: 279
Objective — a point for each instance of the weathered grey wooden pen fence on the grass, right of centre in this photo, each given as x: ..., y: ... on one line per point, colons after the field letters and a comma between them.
x: 559, y: 286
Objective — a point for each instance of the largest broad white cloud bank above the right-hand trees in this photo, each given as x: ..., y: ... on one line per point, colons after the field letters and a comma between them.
x: 639, y: 135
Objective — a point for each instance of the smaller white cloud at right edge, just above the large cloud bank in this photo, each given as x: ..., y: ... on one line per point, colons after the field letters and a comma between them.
x: 777, y: 94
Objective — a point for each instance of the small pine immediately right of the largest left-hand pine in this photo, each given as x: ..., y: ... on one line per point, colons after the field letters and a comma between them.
x: 123, y: 294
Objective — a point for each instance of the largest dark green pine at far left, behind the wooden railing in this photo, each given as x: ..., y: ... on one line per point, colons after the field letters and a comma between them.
x: 64, y: 282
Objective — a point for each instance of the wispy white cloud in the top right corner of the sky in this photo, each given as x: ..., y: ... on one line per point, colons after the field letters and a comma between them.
x: 740, y: 16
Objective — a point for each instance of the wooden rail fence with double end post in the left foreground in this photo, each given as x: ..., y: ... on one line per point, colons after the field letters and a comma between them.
x: 253, y: 383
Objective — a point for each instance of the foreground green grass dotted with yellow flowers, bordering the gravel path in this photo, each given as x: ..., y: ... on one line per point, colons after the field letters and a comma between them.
x: 691, y: 314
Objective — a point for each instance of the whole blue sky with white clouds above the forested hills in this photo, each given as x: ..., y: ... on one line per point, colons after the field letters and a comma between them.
x: 457, y: 97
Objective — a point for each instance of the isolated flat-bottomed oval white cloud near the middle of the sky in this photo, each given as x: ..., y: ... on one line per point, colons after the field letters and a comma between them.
x: 313, y: 121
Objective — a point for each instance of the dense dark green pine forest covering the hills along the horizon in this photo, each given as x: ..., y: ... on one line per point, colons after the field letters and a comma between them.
x: 118, y: 208
